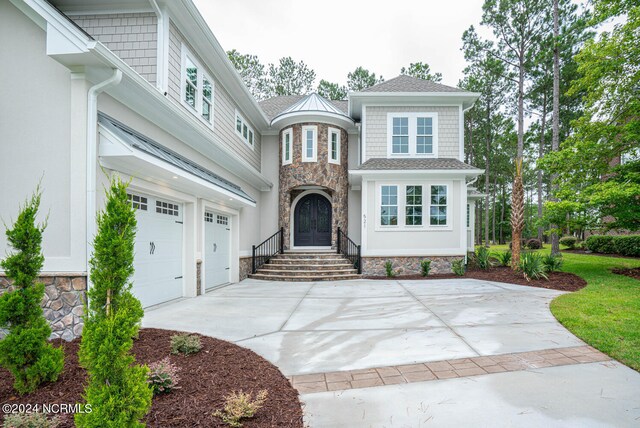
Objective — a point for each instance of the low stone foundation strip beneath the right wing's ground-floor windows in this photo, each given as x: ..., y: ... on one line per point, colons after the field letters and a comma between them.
x: 375, y: 266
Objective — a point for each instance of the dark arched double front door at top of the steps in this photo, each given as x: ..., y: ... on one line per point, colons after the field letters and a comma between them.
x: 312, y: 222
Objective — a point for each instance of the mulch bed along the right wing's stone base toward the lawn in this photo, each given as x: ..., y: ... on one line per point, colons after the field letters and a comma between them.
x: 562, y: 281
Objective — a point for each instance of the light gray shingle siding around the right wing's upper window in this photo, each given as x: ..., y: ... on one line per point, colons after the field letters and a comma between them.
x: 448, y: 129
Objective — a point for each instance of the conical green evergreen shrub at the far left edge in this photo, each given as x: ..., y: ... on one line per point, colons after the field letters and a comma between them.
x: 25, y: 351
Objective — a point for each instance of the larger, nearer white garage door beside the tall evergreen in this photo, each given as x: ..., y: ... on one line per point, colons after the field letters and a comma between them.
x: 158, y: 250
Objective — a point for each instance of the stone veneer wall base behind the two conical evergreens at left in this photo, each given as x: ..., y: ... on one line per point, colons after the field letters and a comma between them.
x: 63, y: 301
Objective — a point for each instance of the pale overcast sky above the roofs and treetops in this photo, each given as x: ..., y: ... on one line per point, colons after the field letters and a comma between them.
x: 333, y: 37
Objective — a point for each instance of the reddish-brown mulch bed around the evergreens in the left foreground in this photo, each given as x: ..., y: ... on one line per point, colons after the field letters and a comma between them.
x: 205, y: 378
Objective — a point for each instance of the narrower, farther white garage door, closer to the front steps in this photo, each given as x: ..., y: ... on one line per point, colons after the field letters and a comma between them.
x: 217, y: 238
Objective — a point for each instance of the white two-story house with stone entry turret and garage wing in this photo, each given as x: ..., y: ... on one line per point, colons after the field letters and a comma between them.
x: 144, y: 90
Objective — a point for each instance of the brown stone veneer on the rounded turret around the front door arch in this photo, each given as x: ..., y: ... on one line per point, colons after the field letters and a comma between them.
x: 334, y: 179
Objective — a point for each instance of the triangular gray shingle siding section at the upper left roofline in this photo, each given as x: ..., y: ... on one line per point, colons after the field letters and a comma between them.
x: 131, y: 36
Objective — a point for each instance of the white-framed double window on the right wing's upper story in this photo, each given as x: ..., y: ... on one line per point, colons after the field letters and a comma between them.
x: 412, y: 134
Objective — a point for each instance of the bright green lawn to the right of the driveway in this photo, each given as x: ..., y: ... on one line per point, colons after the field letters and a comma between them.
x: 606, y: 313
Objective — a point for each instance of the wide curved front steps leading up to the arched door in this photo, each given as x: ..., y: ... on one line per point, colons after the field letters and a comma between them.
x: 307, y: 266
